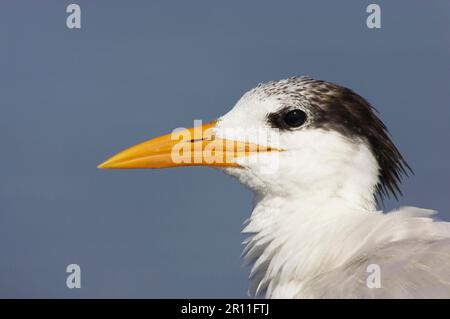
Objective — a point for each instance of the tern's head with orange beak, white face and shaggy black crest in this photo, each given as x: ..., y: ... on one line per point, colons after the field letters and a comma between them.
x: 297, y: 136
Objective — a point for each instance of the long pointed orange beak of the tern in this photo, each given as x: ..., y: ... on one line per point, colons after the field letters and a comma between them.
x: 188, y: 147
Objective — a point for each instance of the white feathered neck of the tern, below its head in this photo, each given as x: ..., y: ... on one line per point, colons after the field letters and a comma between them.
x: 295, y: 239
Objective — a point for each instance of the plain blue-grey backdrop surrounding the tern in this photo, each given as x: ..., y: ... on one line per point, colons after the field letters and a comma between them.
x: 137, y: 69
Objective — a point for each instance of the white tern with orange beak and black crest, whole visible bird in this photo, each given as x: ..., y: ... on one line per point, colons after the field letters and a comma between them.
x: 320, y: 162
